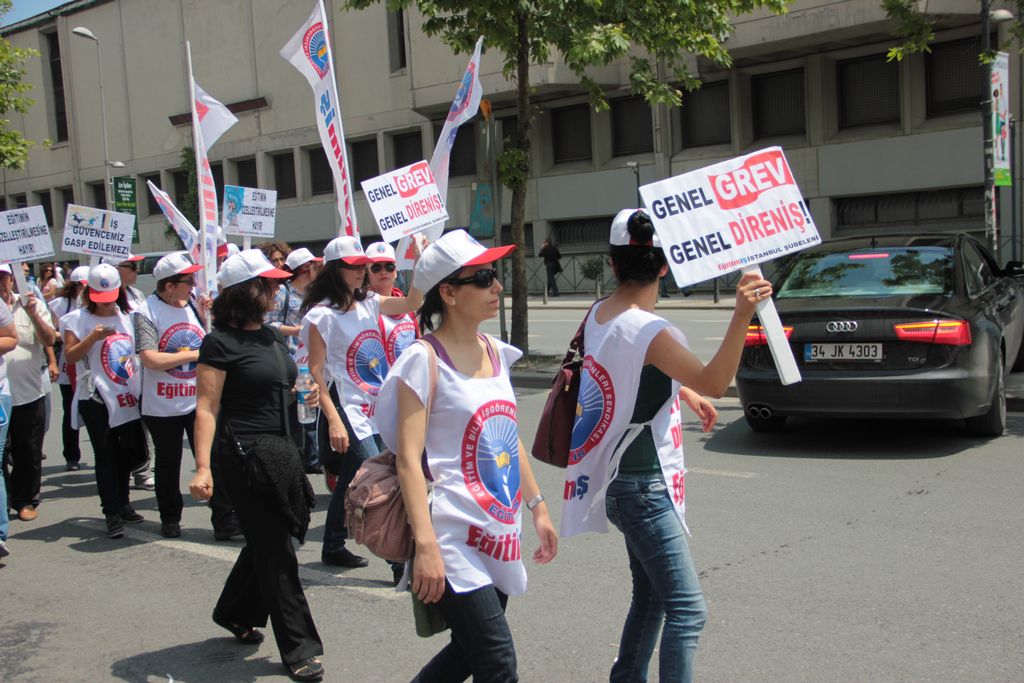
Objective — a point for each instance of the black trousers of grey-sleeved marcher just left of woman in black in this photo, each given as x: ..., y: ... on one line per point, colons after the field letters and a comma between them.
x: 168, y: 441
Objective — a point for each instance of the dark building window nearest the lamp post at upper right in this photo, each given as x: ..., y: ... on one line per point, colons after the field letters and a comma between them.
x: 954, y: 78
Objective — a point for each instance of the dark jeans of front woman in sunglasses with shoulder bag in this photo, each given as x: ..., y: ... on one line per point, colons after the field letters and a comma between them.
x: 482, y: 643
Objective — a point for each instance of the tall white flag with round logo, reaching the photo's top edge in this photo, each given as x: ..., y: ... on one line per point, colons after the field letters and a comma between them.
x: 310, y: 53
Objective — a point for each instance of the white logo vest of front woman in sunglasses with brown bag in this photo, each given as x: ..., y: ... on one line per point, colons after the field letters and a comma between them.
x: 473, y: 449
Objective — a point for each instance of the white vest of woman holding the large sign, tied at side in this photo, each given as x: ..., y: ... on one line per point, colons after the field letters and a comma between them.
x: 602, y: 433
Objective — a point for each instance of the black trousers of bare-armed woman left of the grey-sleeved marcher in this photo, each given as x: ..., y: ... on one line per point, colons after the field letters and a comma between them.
x: 115, y: 450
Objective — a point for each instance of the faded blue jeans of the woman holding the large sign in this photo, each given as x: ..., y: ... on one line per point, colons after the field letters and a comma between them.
x: 665, y: 583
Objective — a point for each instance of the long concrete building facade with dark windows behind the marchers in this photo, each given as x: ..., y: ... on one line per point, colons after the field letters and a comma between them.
x: 873, y: 144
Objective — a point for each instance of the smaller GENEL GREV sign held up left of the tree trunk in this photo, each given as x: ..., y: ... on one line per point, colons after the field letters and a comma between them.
x: 405, y: 201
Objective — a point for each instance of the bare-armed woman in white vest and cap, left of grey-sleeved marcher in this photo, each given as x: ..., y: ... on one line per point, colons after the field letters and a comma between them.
x: 101, y: 337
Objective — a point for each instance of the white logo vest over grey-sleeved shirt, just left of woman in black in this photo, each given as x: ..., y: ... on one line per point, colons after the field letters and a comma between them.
x: 172, y: 393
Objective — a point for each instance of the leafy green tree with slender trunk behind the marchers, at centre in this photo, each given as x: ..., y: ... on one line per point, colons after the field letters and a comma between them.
x: 655, y: 36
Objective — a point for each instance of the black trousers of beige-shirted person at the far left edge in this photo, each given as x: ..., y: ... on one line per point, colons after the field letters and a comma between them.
x: 26, y: 443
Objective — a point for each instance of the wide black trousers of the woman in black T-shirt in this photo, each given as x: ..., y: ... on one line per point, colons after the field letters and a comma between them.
x: 265, y: 581
